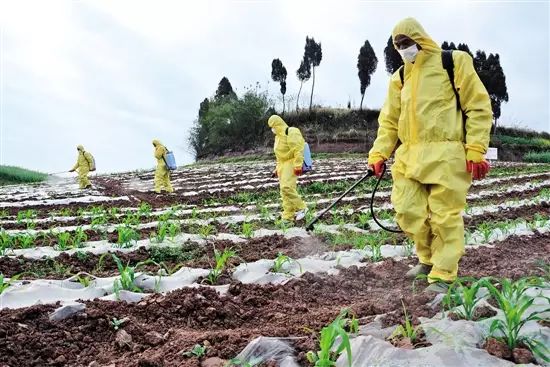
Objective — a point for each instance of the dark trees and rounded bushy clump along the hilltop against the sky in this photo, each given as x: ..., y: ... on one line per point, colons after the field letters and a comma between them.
x: 227, y: 122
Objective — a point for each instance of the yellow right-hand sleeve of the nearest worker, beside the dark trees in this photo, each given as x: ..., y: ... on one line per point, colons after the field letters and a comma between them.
x: 475, y: 102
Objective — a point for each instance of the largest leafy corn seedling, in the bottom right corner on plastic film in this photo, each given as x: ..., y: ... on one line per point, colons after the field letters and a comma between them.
x: 515, y: 318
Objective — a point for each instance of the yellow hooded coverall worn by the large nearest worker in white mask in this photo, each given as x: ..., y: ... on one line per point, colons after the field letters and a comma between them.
x: 430, y: 181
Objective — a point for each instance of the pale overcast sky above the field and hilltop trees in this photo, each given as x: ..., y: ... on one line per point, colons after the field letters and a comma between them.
x: 112, y: 75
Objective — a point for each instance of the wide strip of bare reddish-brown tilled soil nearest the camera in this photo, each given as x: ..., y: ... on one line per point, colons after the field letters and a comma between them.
x: 161, y: 327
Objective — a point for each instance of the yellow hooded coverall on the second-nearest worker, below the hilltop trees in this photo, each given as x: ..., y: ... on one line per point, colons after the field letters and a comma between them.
x: 289, y: 152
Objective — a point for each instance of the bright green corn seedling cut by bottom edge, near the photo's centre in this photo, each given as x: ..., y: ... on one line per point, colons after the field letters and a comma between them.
x: 328, y: 352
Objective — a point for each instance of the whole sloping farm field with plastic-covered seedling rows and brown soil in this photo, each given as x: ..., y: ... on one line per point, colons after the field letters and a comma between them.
x: 208, y: 276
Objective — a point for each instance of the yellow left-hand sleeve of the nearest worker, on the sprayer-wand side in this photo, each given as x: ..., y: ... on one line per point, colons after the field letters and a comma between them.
x: 386, y: 137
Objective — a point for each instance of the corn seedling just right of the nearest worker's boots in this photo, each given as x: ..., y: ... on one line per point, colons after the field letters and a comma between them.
x: 460, y: 294
